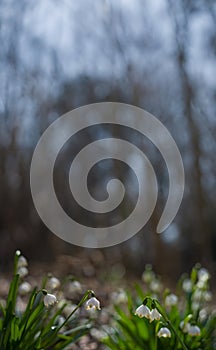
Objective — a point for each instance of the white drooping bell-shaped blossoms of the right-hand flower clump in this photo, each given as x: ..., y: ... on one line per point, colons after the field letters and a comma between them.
x: 195, y: 287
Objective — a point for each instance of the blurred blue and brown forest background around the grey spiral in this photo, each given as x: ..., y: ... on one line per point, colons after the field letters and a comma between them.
x: 159, y: 55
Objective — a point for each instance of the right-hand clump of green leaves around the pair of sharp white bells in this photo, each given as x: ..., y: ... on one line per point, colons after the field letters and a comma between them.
x: 187, y: 315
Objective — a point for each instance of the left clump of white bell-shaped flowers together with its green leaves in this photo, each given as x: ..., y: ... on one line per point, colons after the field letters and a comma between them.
x: 32, y: 317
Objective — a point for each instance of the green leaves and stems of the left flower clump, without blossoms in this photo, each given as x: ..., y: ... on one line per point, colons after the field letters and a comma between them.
x: 37, y: 327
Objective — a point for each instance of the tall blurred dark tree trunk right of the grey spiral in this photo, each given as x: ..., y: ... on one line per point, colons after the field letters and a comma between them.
x: 200, y: 231
